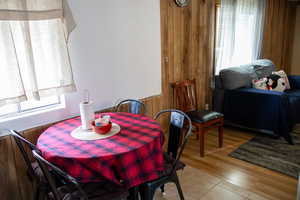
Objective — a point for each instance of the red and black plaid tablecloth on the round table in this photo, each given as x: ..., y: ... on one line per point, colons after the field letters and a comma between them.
x: 134, y: 155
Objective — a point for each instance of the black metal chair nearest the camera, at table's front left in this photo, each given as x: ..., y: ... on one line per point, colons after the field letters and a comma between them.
x: 74, y: 190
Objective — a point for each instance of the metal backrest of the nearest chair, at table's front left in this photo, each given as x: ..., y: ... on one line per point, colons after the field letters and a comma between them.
x: 46, y: 166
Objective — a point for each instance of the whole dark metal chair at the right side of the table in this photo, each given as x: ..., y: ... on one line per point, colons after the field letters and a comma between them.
x: 179, y: 131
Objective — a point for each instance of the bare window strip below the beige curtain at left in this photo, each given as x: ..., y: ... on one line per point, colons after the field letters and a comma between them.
x: 12, y: 110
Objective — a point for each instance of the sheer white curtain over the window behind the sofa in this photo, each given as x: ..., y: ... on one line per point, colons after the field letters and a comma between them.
x: 239, y: 32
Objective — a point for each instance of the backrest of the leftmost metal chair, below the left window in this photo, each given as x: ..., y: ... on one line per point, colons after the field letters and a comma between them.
x: 20, y: 140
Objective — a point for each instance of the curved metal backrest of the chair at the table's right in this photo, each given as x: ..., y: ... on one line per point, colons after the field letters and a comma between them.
x: 182, y: 121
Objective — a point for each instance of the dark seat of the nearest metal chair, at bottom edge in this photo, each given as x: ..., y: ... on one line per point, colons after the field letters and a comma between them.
x: 94, y: 191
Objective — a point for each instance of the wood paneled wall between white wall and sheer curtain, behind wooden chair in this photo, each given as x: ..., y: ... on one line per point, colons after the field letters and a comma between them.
x: 187, y: 46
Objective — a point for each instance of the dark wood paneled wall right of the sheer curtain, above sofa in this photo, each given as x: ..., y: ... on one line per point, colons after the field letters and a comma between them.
x: 279, y: 33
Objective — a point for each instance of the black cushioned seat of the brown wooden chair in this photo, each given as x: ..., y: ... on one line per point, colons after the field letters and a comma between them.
x: 202, y: 116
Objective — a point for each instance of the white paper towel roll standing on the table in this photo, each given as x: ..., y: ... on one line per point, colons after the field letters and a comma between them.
x: 87, y: 115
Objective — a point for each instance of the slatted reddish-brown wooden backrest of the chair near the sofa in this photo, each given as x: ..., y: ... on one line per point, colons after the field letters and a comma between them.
x: 185, y: 97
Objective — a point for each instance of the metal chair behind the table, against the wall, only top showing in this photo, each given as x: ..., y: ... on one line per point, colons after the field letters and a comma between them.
x: 135, y: 106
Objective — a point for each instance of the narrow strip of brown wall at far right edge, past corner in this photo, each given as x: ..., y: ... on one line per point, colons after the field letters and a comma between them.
x: 296, y: 48
